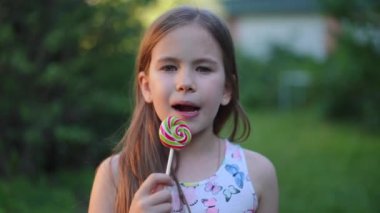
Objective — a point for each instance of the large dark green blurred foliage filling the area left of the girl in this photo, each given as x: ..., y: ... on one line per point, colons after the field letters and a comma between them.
x: 65, y: 66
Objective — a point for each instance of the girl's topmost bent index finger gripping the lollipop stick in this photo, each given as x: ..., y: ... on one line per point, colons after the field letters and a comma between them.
x: 152, y: 182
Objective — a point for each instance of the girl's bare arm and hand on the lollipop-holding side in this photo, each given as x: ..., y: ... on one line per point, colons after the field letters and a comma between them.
x: 152, y: 196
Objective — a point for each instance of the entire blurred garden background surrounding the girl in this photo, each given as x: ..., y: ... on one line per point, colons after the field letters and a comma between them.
x: 309, y: 79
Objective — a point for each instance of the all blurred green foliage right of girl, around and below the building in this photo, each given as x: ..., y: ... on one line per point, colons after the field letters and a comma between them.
x: 344, y: 86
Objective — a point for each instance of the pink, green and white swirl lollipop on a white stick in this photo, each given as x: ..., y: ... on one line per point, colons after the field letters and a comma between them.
x: 174, y: 134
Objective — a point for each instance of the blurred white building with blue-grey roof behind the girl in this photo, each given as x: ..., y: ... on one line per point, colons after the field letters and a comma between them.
x: 298, y: 25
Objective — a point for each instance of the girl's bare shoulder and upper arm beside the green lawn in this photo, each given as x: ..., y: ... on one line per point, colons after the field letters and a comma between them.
x: 264, y: 178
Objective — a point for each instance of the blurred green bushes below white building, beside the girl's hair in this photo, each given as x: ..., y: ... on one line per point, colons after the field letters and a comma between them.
x: 261, y: 81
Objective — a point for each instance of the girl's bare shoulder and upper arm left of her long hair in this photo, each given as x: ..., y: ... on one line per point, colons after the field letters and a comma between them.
x: 103, y: 191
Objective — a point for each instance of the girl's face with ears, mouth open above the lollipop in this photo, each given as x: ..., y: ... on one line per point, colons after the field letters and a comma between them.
x: 186, y: 77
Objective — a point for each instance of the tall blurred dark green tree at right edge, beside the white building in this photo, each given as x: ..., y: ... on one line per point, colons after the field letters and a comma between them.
x: 352, y: 78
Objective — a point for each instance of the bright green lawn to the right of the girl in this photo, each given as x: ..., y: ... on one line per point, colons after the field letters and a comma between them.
x: 321, y: 167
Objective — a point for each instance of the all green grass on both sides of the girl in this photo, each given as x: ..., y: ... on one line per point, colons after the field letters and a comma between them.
x: 321, y: 167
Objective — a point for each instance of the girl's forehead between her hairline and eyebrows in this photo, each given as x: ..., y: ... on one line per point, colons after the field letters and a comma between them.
x: 189, y: 42
